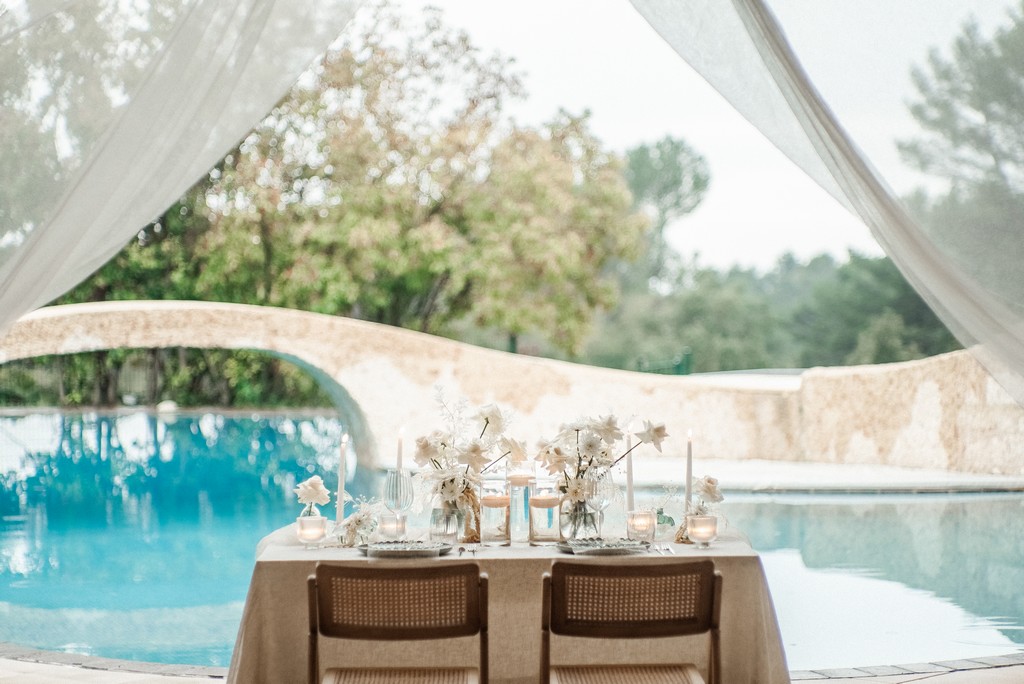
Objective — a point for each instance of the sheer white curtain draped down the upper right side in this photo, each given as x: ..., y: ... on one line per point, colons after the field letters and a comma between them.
x: 967, y: 267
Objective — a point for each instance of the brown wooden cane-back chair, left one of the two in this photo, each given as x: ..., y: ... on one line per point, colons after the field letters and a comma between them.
x: 437, y: 602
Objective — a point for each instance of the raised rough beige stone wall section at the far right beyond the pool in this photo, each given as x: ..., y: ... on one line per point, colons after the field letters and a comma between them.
x: 946, y: 413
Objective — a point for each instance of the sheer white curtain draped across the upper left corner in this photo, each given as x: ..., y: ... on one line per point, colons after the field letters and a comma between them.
x: 111, y: 111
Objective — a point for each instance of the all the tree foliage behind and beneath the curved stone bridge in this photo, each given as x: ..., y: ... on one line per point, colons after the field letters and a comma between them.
x: 391, y: 186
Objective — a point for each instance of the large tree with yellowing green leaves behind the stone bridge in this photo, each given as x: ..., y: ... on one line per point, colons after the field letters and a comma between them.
x: 368, y: 194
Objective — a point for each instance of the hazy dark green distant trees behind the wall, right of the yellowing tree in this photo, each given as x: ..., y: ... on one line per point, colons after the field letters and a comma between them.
x: 796, y: 316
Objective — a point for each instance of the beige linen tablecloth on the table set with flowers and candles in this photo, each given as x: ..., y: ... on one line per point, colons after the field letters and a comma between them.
x: 273, y: 637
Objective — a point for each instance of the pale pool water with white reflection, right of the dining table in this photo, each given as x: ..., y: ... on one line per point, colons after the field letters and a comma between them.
x: 888, y: 579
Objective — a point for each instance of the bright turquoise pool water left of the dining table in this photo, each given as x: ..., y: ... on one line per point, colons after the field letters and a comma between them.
x: 134, y: 536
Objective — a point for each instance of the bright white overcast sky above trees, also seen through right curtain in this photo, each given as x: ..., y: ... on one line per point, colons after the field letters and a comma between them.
x: 603, y: 56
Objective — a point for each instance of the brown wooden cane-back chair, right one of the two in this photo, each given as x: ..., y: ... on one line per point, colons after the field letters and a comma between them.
x: 631, y: 602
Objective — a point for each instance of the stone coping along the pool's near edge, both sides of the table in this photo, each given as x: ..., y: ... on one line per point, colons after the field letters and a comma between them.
x: 13, y: 652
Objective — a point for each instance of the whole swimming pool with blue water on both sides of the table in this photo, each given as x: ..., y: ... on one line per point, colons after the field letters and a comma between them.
x: 116, y: 527
